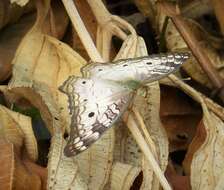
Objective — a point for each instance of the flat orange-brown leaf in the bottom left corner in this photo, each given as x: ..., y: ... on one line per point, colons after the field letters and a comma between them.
x: 14, y: 174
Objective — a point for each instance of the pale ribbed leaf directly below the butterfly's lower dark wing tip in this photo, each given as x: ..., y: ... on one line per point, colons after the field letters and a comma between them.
x: 62, y: 171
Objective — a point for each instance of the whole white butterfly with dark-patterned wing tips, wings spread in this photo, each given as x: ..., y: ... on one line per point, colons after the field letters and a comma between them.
x: 98, y: 98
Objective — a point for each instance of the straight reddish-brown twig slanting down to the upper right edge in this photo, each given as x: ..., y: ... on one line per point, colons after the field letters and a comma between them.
x: 188, y: 36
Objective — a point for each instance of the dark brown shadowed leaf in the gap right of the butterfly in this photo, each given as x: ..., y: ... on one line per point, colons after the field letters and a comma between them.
x: 180, y: 116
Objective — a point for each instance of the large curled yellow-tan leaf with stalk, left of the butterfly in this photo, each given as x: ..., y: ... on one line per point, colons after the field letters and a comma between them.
x: 38, y: 74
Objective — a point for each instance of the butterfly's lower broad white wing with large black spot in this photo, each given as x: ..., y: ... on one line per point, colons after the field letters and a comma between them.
x: 94, y: 105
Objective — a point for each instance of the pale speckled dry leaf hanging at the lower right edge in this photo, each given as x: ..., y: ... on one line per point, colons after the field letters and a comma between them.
x: 208, y: 159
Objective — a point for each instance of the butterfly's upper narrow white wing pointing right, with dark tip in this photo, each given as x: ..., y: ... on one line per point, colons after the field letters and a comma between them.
x: 142, y: 69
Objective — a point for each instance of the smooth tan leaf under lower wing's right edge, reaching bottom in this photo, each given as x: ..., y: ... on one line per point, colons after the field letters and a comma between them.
x: 95, y: 163
